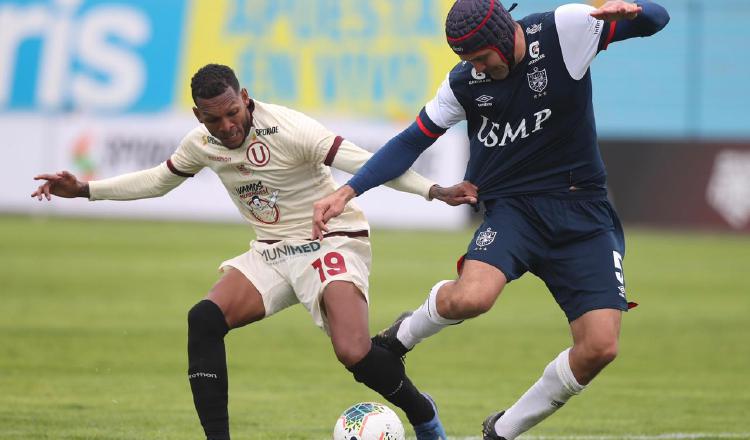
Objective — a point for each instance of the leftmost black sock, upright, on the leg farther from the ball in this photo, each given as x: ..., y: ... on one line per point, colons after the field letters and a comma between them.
x: 207, y: 368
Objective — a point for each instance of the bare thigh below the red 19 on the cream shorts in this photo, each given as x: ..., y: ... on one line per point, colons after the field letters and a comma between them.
x: 346, y: 310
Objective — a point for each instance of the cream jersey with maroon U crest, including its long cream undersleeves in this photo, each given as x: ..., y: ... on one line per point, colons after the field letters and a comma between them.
x: 273, y: 178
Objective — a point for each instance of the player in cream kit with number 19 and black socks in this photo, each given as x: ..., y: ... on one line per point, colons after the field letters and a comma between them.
x: 274, y: 163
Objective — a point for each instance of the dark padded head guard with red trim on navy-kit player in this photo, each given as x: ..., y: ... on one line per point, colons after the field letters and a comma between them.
x: 473, y: 25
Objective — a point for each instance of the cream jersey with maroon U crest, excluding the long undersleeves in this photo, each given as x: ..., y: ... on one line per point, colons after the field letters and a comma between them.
x: 276, y: 175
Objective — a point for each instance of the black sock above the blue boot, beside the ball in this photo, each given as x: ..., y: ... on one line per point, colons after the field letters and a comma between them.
x: 384, y: 373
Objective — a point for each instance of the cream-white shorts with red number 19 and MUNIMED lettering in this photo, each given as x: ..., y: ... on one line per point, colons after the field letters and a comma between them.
x: 296, y: 271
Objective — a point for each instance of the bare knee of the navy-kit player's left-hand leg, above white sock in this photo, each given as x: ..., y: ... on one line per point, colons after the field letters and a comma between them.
x: 473, y: 293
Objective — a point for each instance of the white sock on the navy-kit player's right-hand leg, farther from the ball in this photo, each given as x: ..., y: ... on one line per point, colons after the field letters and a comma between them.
x: 546, y: 396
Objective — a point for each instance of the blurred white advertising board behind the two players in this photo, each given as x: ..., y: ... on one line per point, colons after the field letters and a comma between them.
x: 94, y: 148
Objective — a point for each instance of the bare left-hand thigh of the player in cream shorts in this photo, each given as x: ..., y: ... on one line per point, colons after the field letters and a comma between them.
x: 237, y: 298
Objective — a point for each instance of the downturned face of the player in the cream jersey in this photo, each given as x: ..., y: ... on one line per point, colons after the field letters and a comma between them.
x: 226, y: 116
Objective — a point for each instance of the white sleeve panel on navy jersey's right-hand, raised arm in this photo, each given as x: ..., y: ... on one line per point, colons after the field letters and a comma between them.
x: 579, y: 34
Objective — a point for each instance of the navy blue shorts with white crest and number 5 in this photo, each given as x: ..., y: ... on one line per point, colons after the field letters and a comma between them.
x: 575, y: 245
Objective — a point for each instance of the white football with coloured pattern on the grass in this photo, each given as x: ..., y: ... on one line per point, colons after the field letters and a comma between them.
x: 368, y: 421
